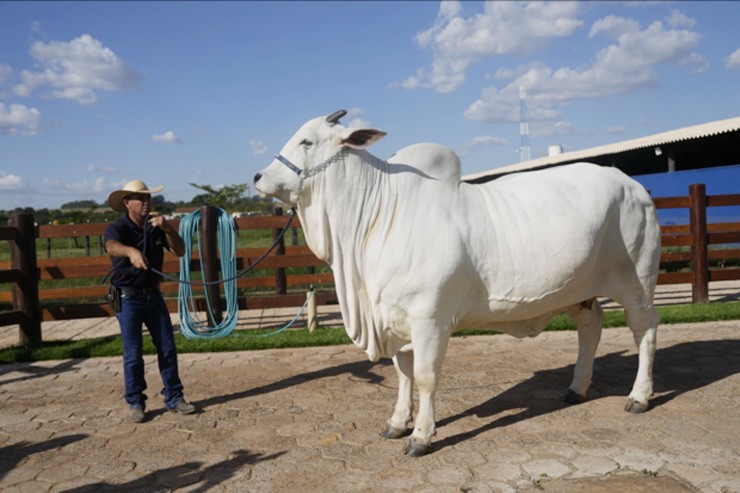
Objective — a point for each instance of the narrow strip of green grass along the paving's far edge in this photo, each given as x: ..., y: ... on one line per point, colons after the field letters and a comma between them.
x: 251, y: 340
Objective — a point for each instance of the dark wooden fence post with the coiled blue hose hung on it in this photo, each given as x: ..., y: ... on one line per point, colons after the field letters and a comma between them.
x: 209, y: 261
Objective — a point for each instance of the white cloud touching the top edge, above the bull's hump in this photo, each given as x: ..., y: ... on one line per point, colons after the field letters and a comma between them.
x: 502, y: 29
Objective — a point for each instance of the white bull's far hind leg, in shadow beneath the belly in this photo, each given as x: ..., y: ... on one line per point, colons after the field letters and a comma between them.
x: 588, y: 317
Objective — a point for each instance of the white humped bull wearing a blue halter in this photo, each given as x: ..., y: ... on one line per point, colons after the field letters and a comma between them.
x: 417, y: 253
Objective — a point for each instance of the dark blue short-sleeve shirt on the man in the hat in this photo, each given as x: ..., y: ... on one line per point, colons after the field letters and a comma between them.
x: 125, y: 231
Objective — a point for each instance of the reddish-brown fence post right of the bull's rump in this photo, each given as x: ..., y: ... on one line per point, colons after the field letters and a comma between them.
x: 698, y: 226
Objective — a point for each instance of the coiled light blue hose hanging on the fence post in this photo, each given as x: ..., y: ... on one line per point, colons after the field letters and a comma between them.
x: 191, y: 325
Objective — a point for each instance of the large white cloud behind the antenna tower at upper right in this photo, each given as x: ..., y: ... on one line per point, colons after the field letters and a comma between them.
x: 627, y: 65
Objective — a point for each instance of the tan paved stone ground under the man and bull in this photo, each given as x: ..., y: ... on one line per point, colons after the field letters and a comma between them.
x: 310, y: 420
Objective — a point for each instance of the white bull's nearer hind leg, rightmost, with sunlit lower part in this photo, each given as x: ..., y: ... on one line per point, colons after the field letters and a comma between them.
x: 644, y: 325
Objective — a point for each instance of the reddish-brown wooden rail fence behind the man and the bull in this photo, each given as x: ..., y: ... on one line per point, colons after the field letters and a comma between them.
x: 31, y: 305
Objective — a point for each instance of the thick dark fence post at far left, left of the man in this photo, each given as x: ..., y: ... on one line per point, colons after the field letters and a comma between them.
x: 26, y: 290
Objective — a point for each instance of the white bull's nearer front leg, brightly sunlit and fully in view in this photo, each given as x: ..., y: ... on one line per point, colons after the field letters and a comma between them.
x: 430, y: 345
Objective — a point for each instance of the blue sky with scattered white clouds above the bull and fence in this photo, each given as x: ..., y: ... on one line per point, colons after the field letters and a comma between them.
x: 94, y: 94
